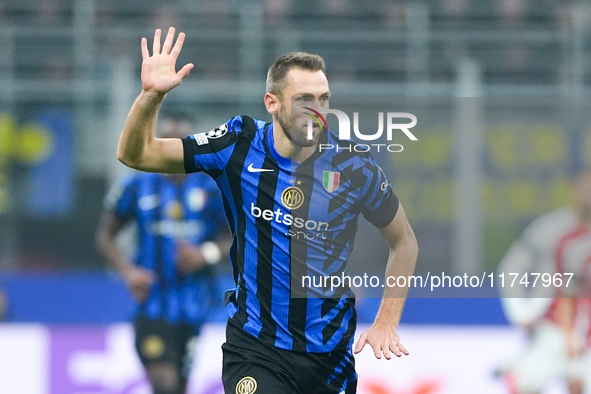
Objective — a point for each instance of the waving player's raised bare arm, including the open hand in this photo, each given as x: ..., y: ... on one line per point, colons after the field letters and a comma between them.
x: 138, y: 147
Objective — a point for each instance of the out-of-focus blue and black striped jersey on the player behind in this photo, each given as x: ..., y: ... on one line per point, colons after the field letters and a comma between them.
x: 167, y: 213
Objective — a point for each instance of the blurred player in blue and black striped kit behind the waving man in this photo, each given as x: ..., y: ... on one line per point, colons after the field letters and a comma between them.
x: 181, y: 231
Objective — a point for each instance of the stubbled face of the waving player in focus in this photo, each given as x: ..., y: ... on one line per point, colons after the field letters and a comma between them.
x: 302, y: 89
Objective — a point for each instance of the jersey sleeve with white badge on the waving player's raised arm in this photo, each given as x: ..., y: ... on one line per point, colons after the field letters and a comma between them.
x: 210, y: 151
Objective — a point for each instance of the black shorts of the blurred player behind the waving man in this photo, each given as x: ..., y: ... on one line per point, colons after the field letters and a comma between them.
x: 158, y: 340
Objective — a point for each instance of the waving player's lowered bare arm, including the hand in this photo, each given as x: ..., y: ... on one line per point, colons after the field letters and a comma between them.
x: 382, y: 335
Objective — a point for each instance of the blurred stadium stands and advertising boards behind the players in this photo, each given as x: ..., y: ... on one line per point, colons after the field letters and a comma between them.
x: 69, y: 71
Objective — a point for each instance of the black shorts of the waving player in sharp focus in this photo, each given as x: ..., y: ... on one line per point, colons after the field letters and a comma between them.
x: 252, y: 367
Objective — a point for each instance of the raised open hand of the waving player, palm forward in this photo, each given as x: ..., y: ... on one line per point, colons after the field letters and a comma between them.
x: 159, y: 73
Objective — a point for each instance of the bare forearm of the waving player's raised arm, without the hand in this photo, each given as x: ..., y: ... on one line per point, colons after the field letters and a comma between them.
x: 139, y: 130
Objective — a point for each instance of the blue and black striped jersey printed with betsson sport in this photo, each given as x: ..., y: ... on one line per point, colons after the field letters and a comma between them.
x: 289, y: 221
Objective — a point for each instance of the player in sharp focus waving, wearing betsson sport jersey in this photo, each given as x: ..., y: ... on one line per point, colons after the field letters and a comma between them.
x: 291, y: 215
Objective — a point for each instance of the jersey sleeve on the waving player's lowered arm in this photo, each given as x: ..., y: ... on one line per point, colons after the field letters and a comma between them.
x: 380, y: 203
